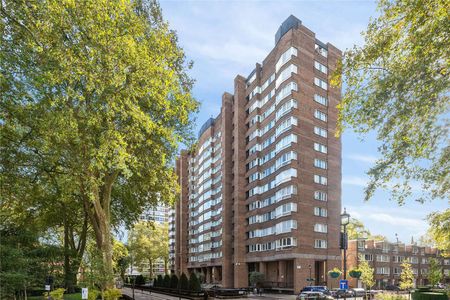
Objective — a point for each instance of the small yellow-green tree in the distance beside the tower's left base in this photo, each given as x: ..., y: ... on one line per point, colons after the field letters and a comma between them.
x: 149, y: 242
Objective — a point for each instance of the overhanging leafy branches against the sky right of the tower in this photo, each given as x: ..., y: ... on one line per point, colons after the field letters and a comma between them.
x: 397, y: 84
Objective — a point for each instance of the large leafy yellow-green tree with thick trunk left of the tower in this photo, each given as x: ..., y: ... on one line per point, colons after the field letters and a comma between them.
x: 98, y: 93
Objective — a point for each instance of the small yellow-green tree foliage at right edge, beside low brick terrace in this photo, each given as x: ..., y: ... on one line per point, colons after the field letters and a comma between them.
x: 440, y: 230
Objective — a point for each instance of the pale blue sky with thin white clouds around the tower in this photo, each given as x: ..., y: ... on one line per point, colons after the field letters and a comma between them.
x: 227, y: 38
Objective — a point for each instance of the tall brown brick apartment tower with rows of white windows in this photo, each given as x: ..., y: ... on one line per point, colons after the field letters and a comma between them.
x: 261, y: 190
